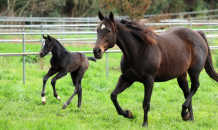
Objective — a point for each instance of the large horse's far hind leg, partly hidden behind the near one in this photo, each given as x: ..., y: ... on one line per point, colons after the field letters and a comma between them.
x: 183, y: 84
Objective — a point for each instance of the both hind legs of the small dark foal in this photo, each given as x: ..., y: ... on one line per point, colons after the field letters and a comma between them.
x: 77, y: 79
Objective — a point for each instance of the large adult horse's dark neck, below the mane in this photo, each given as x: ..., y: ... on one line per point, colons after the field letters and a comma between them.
x: 125, y: 41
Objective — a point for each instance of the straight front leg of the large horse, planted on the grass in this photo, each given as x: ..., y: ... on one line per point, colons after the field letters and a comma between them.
x: 148, y: 87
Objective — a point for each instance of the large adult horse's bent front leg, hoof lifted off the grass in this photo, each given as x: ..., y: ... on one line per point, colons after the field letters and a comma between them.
x: 122, y: 84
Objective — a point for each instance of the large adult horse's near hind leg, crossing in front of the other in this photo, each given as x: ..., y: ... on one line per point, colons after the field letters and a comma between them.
x: 194, y: 76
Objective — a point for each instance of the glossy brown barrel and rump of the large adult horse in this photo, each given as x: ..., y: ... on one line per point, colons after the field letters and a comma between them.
x: 182, y: 49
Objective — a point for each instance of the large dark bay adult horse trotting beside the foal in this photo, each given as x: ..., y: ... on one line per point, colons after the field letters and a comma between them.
x: 149, y: 57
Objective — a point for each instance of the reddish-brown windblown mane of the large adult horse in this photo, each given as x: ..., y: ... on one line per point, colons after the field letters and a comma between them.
x: 144, y: 33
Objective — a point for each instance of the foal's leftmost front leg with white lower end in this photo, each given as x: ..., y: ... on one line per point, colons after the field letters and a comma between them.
x: 45, y: 78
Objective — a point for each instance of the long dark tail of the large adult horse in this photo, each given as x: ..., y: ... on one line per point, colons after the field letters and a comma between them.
x: 208, y: 64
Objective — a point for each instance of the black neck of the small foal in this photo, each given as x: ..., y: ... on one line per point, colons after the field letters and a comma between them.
x: 57, y: 51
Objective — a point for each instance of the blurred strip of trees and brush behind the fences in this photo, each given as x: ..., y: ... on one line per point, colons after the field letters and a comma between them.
x: 89, y: 8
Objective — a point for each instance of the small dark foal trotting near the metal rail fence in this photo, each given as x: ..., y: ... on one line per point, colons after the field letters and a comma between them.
x: 62, y: 62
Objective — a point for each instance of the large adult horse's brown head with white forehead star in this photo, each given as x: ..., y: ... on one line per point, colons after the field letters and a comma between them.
x: 106, y: 33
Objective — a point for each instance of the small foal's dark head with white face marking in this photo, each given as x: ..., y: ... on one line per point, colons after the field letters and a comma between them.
x: 47, y: 46
